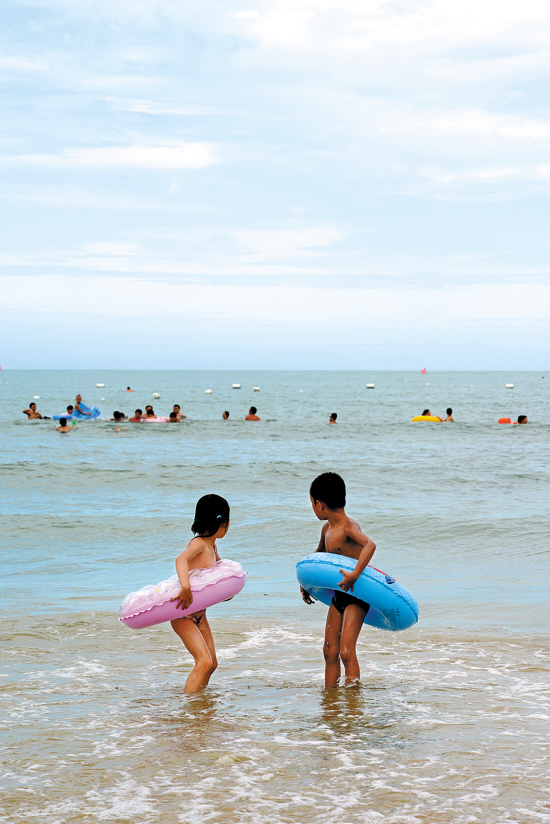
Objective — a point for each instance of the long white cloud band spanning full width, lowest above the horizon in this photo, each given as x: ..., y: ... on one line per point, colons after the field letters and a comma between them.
x: 280, y: 305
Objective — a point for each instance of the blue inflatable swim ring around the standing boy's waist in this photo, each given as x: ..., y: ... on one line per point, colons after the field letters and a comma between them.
x: 392, y: 606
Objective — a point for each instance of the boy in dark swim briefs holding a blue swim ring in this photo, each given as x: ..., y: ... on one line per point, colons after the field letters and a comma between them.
x: 346, y: 614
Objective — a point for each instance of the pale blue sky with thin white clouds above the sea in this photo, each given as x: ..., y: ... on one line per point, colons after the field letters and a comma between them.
x: 301, y: 184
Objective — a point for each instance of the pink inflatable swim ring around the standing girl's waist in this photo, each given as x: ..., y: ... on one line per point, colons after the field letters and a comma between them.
x: 153, y: 605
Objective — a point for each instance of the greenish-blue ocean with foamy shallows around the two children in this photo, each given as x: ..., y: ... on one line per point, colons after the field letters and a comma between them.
x: 452, y: 721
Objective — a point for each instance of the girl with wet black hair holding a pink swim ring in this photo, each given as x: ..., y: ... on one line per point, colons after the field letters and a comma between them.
x: 211, y: 522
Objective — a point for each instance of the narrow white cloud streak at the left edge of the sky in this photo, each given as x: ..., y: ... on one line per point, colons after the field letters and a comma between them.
x: 167, y: 156
